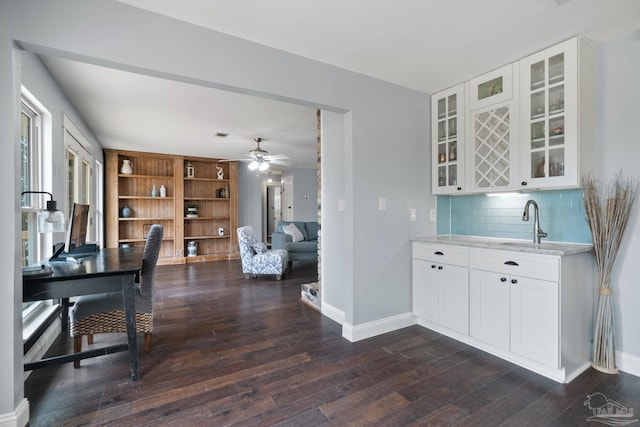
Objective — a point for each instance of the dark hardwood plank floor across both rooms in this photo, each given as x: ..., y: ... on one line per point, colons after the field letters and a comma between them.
x: 230, y: 351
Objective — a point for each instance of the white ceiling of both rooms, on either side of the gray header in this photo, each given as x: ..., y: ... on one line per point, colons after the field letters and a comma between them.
x: 426, y: 45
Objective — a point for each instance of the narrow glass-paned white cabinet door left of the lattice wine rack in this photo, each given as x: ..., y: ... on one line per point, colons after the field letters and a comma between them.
x: 447, y: 140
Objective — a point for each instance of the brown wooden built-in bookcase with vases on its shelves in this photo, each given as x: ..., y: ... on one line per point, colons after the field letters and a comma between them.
x: 217, y: 209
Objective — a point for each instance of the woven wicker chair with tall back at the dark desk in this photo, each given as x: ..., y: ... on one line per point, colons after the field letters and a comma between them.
x: 104, y: 313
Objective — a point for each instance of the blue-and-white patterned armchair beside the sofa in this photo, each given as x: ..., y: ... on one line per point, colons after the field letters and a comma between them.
x: 256, y: 258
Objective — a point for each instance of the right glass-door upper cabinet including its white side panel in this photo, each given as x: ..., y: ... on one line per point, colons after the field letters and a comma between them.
x: 557, y: 115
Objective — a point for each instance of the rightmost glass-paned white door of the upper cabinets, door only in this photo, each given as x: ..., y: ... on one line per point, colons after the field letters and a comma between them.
x: 549, y: 117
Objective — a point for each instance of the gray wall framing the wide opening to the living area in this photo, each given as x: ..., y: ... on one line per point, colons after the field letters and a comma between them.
x: 392, y: 120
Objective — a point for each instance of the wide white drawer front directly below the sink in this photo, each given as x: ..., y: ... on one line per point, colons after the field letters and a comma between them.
x: 543, y: 267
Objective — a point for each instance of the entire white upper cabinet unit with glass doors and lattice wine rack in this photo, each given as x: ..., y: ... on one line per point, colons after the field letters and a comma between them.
x: 529, y: 125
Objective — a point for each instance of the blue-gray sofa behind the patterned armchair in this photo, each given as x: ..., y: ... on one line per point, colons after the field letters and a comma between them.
x: 304, y: 247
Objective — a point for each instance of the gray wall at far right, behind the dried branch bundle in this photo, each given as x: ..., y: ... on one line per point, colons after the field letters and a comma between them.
x: 618, y: 149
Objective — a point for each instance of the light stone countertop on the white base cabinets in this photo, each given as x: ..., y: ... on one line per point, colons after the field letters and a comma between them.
x: 544, y: 248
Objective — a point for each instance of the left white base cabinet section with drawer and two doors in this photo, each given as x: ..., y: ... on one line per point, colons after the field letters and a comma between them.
x: 441, y: 286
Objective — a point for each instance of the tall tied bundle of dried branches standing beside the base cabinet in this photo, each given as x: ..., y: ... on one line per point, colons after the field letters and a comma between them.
x: 607, y: 215
